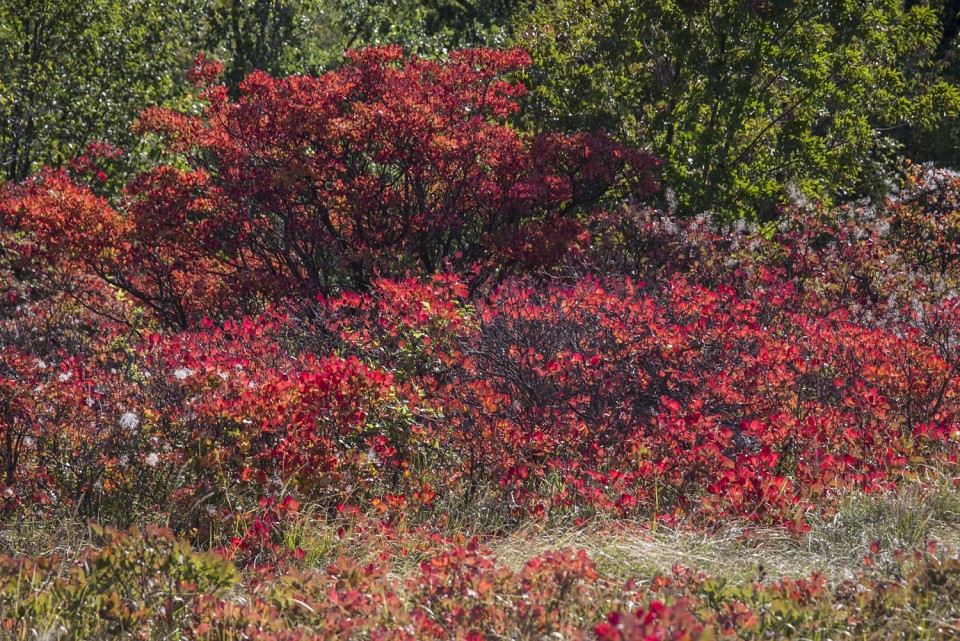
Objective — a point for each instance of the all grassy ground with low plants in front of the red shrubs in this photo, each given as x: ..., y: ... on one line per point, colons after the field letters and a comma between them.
x: 857, y: 550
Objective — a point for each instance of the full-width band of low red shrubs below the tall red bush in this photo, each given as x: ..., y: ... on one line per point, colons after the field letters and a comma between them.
x: 700, y: 374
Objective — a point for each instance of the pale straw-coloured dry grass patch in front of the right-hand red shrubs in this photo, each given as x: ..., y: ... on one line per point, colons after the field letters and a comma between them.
x: 835, y: 546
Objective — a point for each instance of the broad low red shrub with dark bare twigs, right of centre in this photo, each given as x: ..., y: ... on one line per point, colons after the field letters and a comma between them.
x: 619, y: 396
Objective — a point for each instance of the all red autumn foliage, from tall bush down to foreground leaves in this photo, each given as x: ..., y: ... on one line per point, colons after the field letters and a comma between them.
x: 368, y: 293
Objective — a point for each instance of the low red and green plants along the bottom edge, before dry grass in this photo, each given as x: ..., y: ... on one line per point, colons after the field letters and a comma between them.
x: 150, y: 586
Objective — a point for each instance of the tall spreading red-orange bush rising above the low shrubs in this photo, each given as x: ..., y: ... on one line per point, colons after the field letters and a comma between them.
x: 313, y: 185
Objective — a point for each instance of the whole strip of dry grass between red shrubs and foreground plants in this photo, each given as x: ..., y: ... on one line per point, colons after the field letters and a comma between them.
x: 835, y: 546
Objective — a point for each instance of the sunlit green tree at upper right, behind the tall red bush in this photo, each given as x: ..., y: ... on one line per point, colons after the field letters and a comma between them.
x: 748, y: 103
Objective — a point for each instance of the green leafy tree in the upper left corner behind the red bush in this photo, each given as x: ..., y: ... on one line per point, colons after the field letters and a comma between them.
x: 78, y: 71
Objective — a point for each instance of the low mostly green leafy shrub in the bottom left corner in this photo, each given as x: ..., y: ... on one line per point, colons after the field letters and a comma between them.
x: 135, y: 581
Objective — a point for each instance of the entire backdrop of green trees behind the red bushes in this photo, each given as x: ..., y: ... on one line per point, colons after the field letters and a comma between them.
x: 749, y: 105
